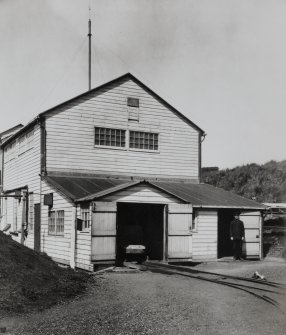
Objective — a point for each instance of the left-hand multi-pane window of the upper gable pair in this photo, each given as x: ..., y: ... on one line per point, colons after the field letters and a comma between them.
x: 109, y: 137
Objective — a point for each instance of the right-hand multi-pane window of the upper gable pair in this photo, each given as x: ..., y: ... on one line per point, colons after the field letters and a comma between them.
x: 143, y: 140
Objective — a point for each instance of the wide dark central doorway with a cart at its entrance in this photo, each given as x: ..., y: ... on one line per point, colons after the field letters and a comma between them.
x: 140, y: 224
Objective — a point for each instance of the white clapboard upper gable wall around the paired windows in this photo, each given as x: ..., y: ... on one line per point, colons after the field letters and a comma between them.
x: 70, y: 136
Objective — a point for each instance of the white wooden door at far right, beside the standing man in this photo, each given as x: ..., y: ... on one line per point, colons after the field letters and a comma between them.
x: 252, y: 225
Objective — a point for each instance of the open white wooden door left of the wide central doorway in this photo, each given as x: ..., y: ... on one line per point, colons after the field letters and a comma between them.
x: 103, y: 231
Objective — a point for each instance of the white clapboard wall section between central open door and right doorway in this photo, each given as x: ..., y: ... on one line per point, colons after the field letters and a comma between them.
x: 205, y: 238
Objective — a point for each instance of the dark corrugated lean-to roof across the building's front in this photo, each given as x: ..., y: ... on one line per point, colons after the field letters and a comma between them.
x: 81, y: 189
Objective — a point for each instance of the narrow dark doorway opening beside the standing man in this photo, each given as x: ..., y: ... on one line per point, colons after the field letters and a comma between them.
x: 225, y: 246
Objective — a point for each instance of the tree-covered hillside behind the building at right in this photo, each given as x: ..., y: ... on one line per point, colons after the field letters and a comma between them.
x: 263, y: 183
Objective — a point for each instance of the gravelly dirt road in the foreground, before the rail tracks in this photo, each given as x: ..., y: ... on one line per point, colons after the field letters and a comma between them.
x: 154, y: 303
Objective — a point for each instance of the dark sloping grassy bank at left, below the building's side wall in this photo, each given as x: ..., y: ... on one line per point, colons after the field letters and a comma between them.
x: 30, y: 280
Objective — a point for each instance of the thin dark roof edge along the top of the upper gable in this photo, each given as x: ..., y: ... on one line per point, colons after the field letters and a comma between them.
x: 98, y: 88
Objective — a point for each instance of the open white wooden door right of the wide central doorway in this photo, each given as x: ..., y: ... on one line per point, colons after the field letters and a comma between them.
x: 179, y: 231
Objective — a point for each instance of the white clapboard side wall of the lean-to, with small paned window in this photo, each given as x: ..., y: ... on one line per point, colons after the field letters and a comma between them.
x: 56, y: 246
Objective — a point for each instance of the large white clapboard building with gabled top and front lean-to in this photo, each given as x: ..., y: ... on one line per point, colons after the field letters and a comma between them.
x: 116, y: 157
